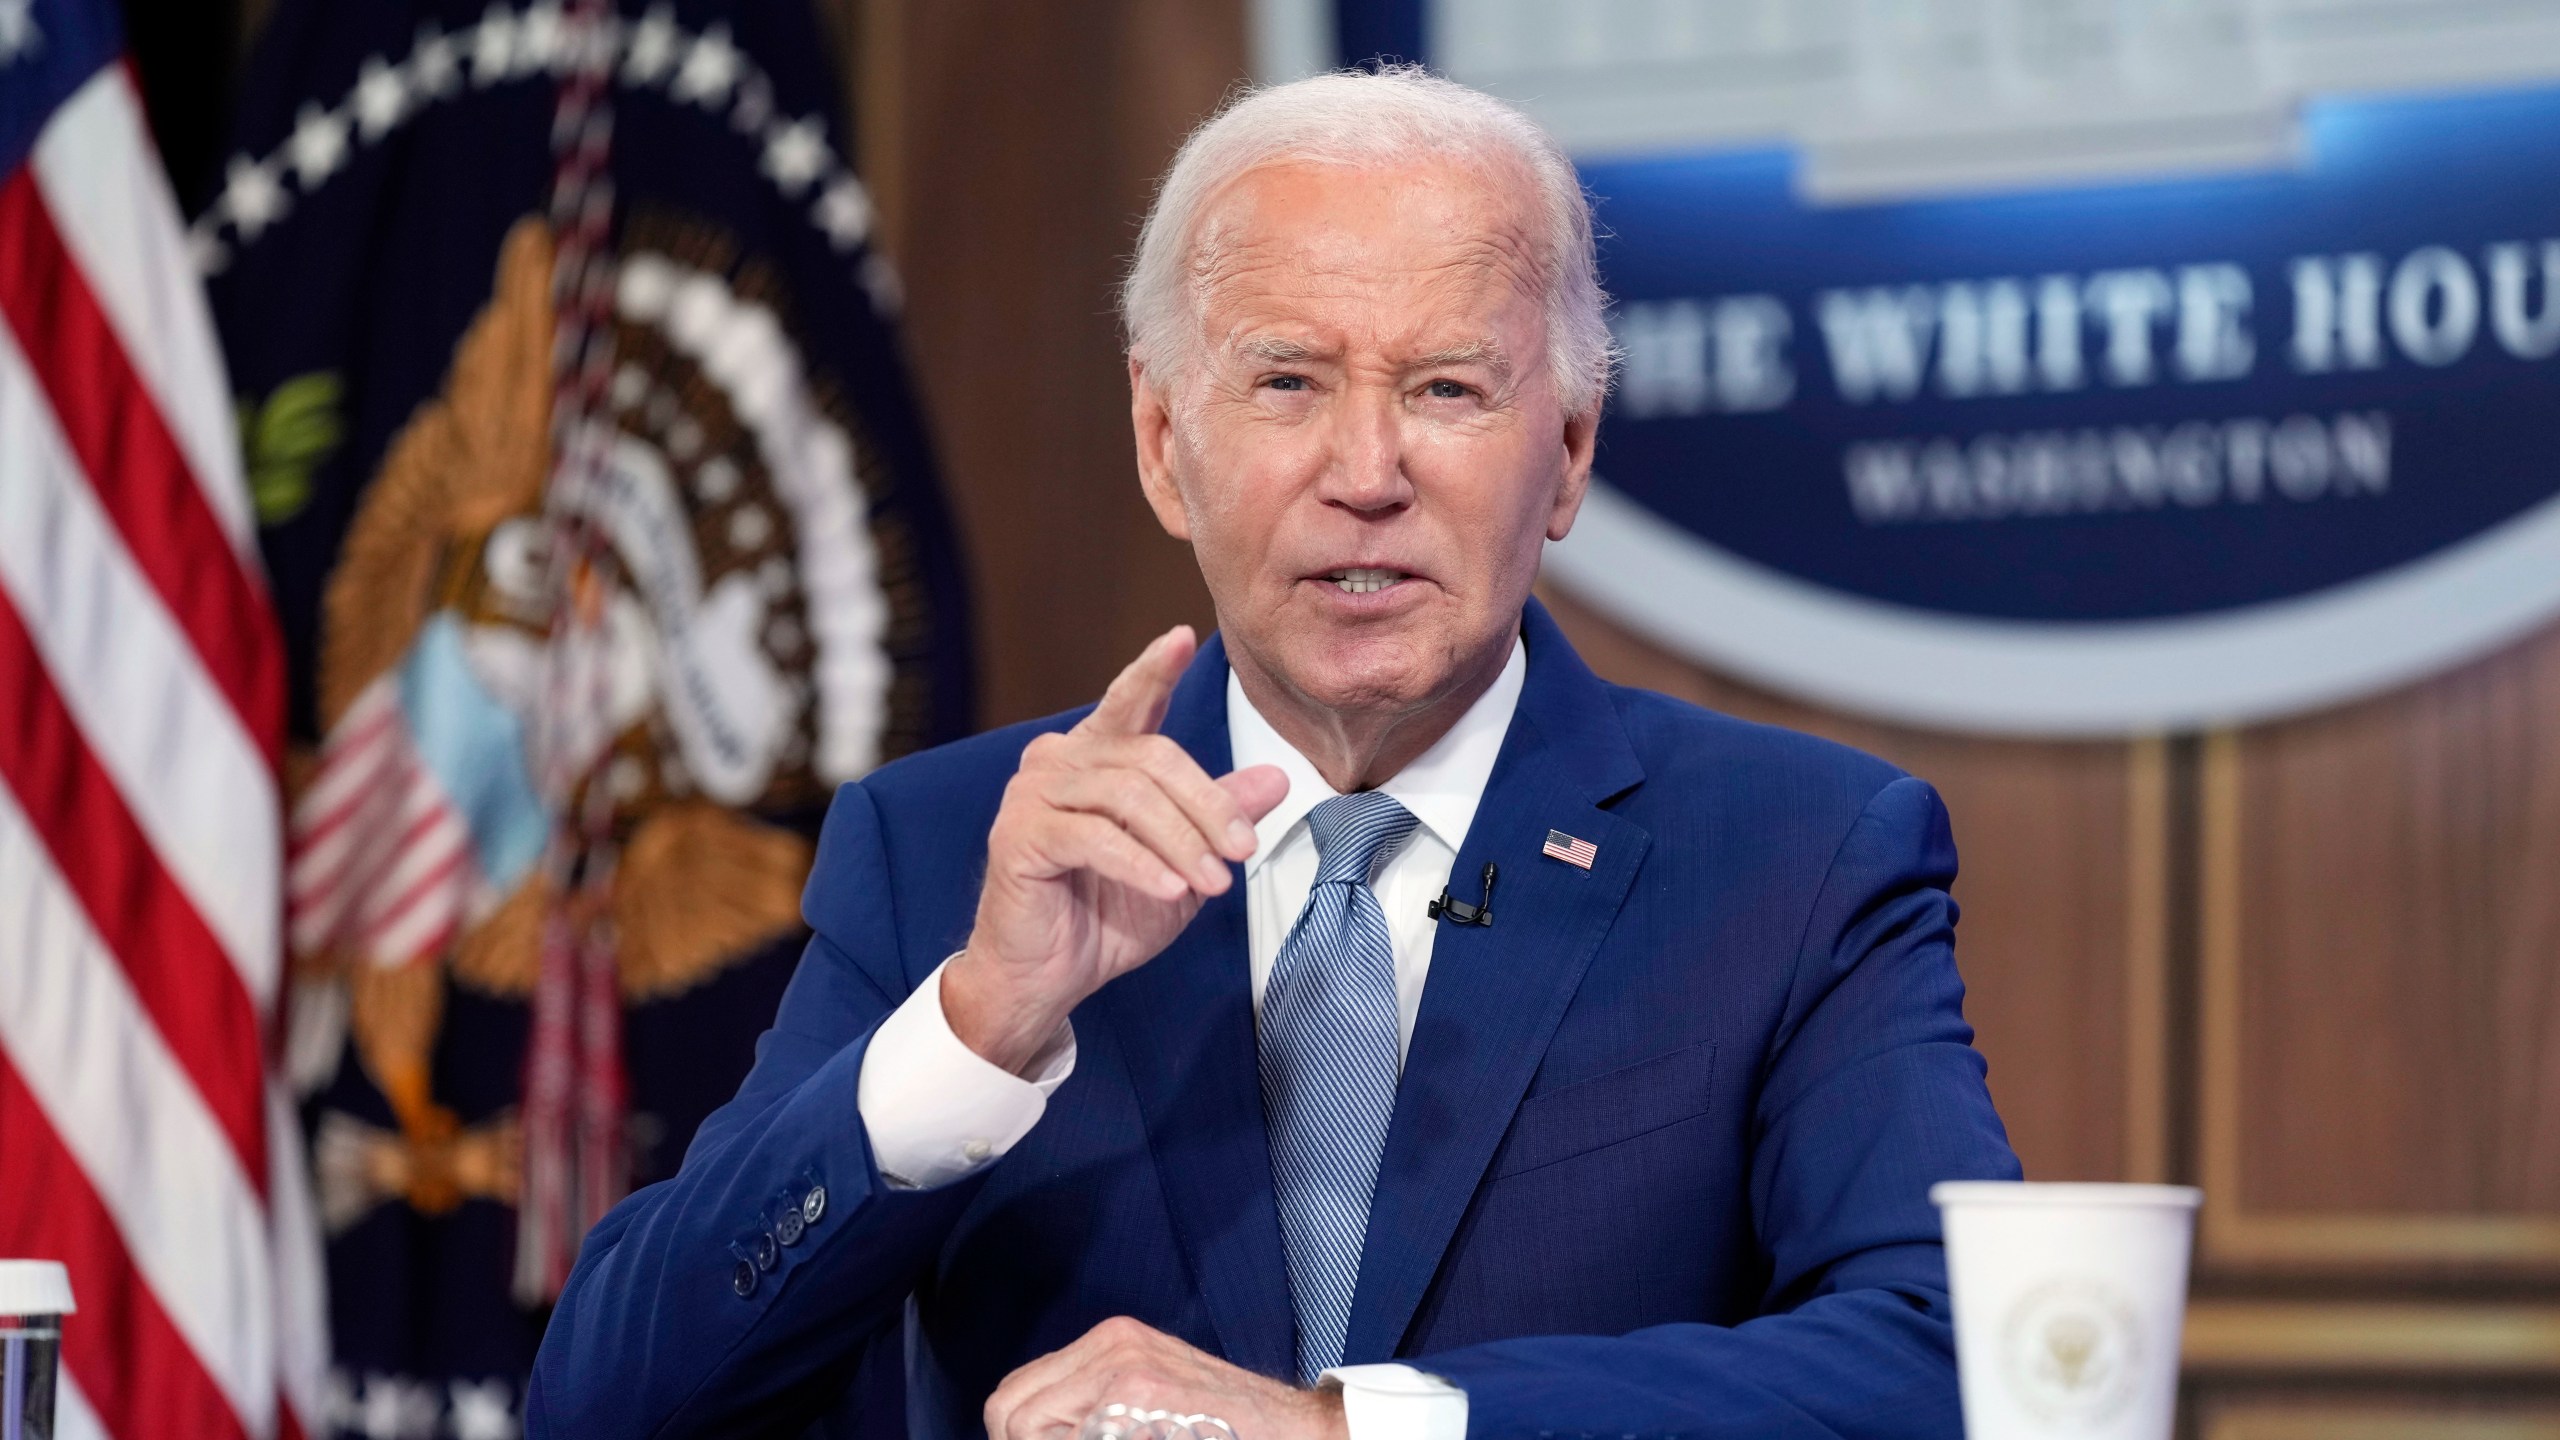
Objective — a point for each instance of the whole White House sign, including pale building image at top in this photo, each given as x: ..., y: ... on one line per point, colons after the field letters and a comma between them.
x: 2065, y: 370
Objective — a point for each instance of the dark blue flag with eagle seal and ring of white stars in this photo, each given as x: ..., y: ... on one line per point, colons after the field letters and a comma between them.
x: 608, y: 544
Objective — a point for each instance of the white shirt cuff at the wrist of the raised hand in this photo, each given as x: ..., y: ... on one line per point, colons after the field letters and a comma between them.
x: 933, y: 1108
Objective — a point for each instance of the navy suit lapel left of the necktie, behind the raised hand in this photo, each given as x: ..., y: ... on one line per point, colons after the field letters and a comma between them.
x: 1187, y: 1031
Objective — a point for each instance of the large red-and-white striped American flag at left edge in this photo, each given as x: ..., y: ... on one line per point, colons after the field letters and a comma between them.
x: 145, y: 1139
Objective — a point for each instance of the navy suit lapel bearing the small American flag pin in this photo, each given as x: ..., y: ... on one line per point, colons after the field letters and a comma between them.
x: 1496, y: 993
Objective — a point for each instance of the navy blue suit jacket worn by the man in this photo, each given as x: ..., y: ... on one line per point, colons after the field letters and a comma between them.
x: 1660, y: 1157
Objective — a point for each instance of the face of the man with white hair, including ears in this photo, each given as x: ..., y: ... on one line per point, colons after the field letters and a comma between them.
x: 1371, y: 445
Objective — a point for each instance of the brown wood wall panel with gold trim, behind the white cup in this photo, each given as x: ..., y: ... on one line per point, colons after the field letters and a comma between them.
x: 2382, y: 978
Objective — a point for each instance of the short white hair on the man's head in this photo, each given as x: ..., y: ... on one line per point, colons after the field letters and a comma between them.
x: 1373, y: 119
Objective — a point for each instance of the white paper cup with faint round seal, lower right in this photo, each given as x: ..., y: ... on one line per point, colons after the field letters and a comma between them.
x: 2070, y: 1303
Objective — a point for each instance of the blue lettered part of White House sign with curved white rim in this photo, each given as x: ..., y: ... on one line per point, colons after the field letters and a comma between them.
x: 2093, y: 460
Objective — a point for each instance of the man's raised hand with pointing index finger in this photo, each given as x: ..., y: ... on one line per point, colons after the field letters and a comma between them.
x: 1107, y: 844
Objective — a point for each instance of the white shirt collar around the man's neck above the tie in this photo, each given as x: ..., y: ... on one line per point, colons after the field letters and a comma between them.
x: 1440, y: 788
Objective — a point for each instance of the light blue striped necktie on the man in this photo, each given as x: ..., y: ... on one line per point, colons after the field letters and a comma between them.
x: 1330, y: 1065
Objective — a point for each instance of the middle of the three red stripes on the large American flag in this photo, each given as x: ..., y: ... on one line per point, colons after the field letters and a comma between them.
x: 145, y: 921
